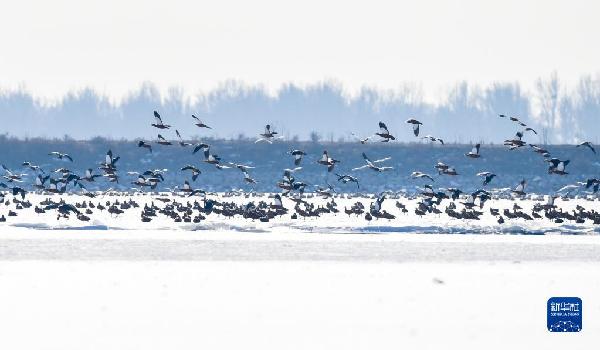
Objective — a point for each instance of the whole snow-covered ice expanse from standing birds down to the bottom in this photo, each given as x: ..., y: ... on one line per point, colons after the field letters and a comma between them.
x: 118, y: 283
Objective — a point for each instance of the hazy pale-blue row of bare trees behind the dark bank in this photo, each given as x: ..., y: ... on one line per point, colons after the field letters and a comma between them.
x: 320, y: 112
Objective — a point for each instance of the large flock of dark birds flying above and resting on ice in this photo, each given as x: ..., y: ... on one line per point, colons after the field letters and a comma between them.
x: 196, y: 209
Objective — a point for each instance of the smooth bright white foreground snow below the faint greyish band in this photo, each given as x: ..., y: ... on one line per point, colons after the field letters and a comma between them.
x: 291, y: 305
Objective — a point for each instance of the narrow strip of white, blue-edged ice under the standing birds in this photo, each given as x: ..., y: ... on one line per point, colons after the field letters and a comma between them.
x: 326, y: 223
